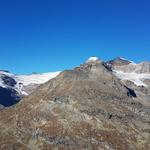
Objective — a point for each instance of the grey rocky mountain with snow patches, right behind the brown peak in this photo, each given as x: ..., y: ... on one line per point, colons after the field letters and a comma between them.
x: 127, y: 70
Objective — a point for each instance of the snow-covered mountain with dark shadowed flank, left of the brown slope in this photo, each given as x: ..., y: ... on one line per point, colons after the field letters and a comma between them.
x: 14, y: 87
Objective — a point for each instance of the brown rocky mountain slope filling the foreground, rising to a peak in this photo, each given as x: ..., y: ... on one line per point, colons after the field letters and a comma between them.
x: 87, y: 108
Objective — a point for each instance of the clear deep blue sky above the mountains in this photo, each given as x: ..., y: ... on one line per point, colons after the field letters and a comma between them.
x: 51, y: 35
